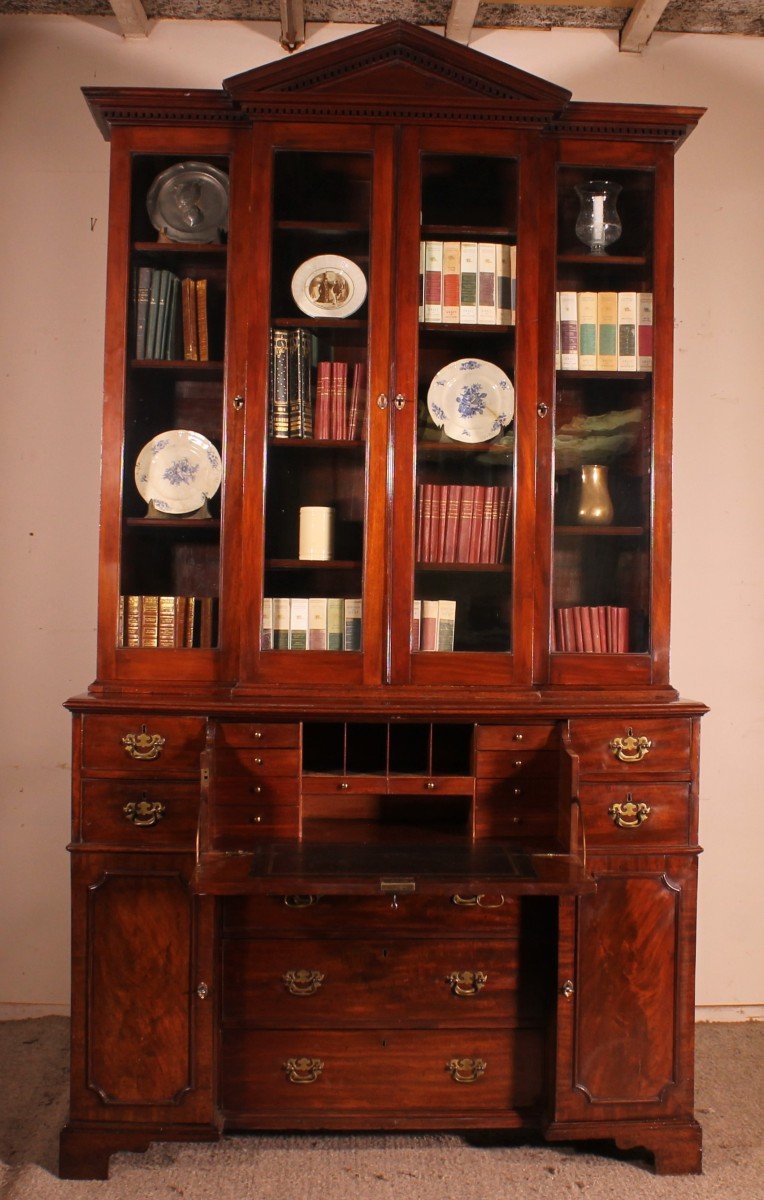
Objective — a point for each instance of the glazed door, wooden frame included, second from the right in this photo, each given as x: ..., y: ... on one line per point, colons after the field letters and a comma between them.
x: 466, y: 375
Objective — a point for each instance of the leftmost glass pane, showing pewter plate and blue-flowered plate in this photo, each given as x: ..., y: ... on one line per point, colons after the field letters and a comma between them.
x: 170, y: 571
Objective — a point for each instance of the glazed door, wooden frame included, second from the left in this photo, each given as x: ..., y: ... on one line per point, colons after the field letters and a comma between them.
x: 320, y: 347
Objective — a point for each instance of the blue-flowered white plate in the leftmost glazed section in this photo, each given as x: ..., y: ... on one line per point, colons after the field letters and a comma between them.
x: 178, y: 471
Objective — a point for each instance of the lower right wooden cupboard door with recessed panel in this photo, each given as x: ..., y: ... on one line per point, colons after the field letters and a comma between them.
x: 625, y: 1011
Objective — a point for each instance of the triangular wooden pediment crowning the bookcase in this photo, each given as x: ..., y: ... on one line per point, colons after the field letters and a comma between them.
x: 395, y: 64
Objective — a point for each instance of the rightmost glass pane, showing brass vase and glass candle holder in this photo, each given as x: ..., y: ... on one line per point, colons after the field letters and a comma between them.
x: 601, y: 567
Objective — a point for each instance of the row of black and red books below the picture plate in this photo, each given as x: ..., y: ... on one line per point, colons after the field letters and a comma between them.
x: 332, y: 407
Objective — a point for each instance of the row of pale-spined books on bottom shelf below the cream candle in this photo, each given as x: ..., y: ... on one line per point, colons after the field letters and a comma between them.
x: 311, y: 623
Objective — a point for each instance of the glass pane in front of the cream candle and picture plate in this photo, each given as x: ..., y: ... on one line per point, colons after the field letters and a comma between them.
x: 316, y: 467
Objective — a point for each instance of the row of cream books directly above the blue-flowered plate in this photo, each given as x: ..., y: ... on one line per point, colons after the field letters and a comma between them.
x: 468, y: 284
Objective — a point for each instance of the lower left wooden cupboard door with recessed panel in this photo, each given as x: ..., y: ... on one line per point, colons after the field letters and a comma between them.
x: 143, y: 997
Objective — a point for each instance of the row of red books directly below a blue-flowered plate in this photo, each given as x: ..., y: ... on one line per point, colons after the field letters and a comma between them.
x: 462, y: 524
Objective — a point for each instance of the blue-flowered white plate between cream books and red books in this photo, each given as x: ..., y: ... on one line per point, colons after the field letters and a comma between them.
x: 472, y: 400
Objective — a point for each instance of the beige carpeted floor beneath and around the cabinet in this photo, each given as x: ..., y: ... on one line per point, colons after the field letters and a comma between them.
x: 428, y: 1167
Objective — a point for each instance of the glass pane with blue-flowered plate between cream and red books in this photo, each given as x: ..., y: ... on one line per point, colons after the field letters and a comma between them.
x: 466, y: 440
